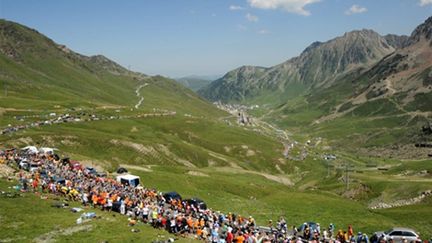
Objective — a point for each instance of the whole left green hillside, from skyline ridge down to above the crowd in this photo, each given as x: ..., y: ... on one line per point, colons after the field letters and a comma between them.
x: 141, y: 119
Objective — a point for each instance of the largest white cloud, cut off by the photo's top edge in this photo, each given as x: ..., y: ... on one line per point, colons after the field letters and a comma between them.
x: 292, y: 6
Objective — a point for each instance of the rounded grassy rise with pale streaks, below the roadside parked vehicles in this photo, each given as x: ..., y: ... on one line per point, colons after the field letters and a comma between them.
x: 200, y: 141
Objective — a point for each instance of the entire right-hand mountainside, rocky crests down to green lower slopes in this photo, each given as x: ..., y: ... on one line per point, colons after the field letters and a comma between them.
x: 359, y: 89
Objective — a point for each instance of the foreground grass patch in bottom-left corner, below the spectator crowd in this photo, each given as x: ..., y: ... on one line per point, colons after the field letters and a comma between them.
x: 28, y: 217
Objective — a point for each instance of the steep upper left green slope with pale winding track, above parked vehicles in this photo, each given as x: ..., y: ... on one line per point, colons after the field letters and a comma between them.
x: 40, y: 74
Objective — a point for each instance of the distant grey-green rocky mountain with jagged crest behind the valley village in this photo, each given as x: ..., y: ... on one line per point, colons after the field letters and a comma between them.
x: 318, y: 66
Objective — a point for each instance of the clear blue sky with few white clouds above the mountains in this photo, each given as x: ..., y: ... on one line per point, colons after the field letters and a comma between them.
x: 178, y: 38
